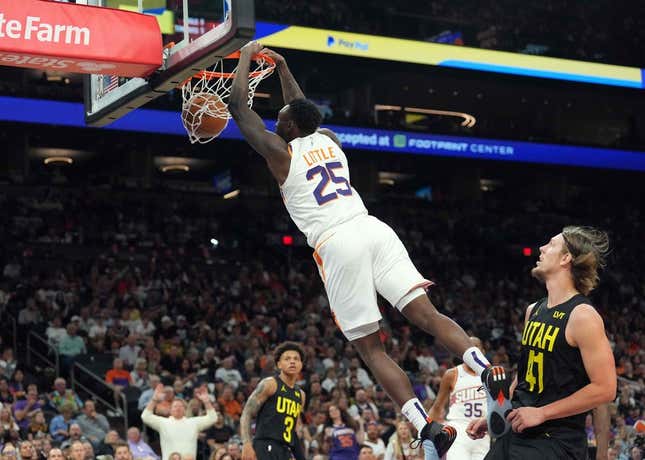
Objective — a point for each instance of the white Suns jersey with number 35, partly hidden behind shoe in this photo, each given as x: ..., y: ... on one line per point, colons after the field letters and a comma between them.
x: 467, y: 399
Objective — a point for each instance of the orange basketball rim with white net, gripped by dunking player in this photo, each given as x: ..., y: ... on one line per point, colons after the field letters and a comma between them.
x: 214, y: 87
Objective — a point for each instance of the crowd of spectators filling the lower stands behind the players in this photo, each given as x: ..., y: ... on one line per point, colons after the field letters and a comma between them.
x: 132, y: 277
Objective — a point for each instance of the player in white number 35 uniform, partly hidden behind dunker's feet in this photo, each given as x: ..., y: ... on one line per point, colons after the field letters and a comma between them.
x: 461, y: 391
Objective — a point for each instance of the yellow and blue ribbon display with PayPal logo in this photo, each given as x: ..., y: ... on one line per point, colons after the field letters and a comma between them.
x: 418, y: 52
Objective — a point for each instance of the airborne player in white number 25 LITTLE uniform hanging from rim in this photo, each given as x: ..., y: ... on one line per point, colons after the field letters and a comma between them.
x: 357, y: 255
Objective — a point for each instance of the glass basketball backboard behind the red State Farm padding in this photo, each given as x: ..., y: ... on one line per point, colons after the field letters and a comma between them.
x: 215, y: 28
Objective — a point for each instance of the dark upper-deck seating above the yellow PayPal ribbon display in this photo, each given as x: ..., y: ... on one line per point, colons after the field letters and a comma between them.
x: 603, y: 31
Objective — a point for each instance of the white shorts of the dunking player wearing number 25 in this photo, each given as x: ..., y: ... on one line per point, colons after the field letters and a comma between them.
x: 356, y: 260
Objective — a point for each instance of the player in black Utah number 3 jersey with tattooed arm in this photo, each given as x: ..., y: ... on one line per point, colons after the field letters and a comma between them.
x: 277, y: 402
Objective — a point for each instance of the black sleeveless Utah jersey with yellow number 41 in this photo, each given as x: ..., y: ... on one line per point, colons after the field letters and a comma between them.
x: 549, y: 368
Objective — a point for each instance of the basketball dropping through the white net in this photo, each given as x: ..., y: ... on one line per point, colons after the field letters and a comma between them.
x: 206, y: 114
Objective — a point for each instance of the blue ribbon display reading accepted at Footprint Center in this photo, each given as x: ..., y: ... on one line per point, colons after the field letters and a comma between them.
x: 363, y: 139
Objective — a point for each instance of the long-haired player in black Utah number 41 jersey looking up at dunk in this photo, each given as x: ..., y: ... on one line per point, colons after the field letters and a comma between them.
x: 566, y: 366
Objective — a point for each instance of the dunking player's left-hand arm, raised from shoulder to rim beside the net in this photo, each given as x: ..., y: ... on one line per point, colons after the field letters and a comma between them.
x: 271, y: 146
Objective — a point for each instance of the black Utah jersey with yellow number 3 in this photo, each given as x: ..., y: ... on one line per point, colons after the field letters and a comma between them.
x: 278, y: 415
